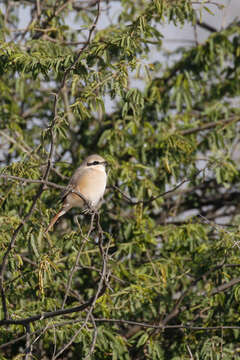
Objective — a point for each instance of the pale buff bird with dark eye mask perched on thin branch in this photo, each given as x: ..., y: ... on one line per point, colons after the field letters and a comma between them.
x: 90, y: 180
